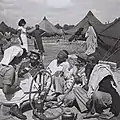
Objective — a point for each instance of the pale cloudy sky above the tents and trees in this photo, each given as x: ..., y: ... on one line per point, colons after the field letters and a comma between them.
x: 57, y: 11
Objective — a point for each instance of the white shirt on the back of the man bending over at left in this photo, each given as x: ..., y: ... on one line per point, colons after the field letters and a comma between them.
x: 10, y: 53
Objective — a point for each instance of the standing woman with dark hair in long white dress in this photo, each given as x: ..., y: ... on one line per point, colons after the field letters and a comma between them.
x: 22, y: 34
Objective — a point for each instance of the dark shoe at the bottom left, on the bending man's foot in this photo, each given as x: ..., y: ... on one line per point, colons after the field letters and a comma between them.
x: 15, y: 111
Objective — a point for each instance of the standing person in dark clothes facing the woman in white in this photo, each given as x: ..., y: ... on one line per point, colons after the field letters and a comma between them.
x: 37, y: 33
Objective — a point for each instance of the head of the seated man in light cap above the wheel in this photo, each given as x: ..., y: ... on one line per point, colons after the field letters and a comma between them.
x: 34, y: 56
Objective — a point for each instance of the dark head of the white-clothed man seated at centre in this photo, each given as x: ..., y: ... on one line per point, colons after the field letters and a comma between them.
x: 62, y: 56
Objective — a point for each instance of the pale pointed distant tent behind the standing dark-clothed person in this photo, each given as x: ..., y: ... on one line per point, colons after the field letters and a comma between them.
x: 49, y: 27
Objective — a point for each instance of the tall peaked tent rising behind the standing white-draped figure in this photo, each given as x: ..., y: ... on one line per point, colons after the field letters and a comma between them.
x: 84, y: 23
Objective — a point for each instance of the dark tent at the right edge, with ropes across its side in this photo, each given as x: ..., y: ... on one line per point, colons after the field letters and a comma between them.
x: 109, y: 42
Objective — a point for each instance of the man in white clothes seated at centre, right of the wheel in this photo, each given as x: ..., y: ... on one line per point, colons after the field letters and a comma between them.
x: 60, y: 70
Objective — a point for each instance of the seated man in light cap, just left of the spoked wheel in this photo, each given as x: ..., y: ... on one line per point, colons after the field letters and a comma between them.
x: 28, y: 69
